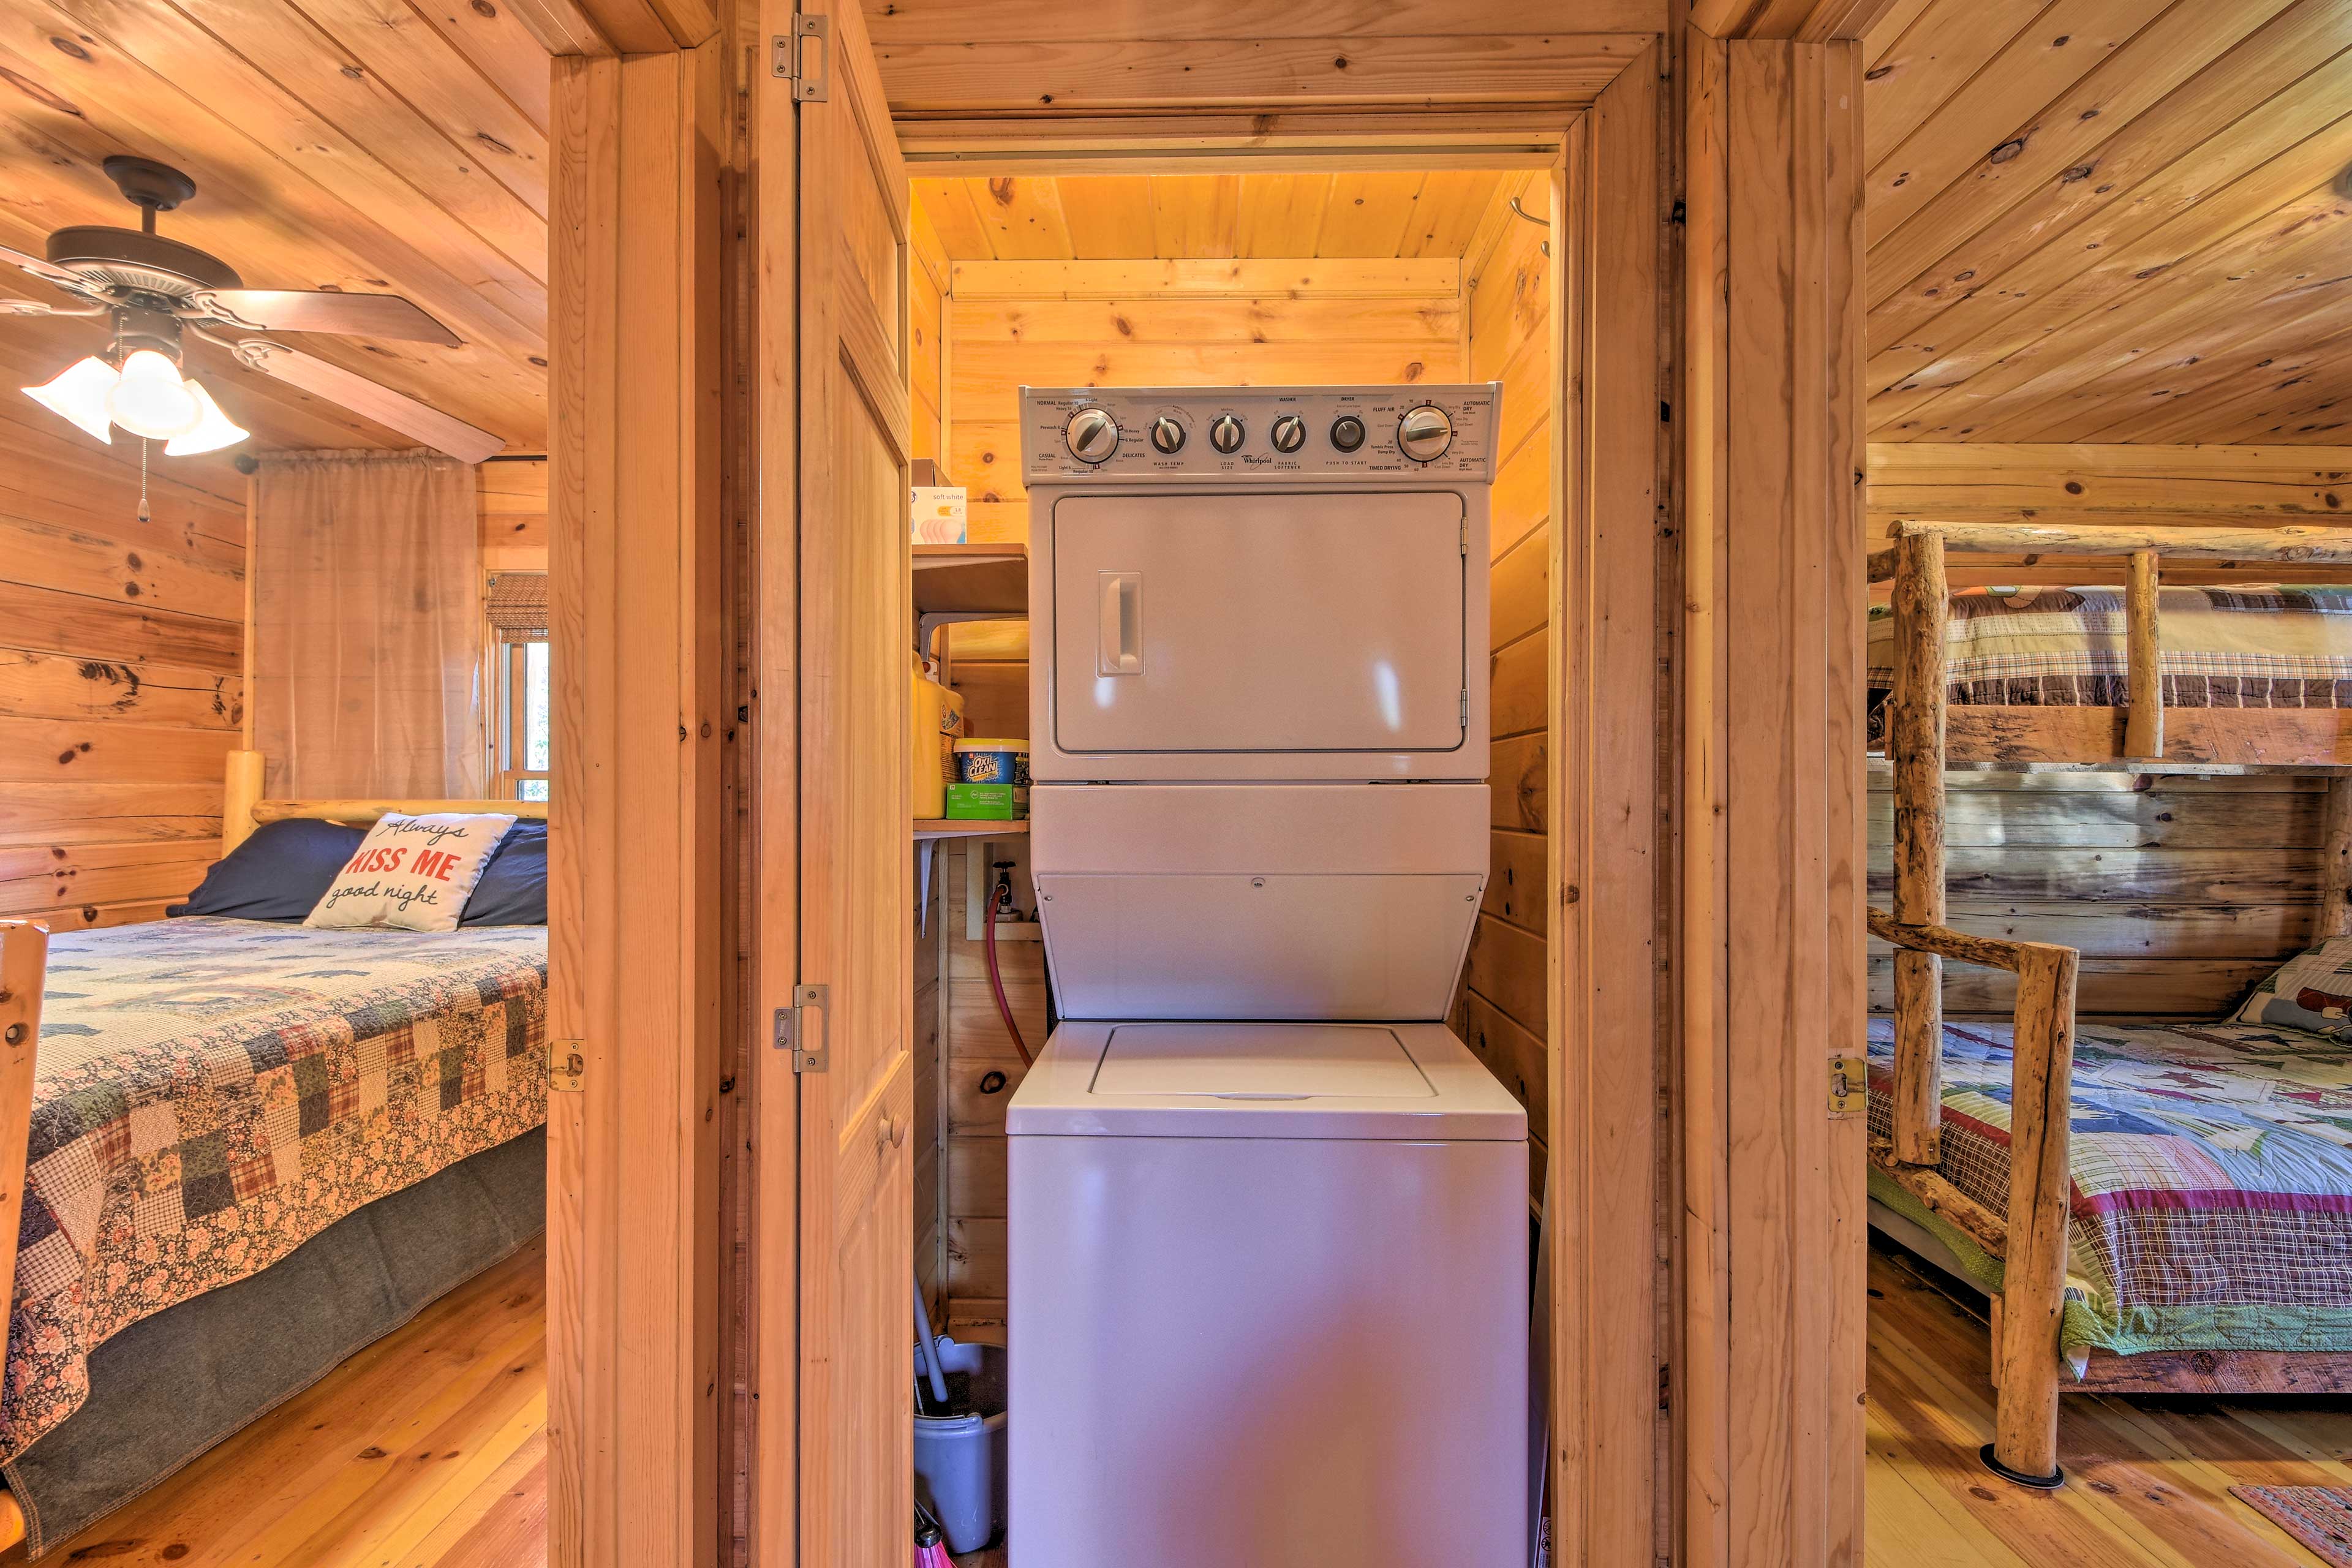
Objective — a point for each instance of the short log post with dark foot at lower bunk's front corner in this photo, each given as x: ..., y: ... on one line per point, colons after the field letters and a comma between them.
x: 2040, y: 1184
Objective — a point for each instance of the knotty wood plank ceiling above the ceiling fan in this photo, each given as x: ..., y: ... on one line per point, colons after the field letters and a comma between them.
x: 340, y: 145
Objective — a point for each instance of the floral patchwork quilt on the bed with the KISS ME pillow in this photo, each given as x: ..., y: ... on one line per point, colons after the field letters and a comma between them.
x: 211, y: 1094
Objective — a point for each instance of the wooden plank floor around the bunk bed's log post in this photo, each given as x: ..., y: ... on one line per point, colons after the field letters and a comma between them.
x: 2149, y: 1480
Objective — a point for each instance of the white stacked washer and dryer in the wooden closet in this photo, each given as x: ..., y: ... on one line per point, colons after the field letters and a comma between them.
x: 1269, y: 1217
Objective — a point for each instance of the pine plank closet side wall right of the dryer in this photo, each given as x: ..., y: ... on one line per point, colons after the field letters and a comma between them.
x: 1502, y: 1005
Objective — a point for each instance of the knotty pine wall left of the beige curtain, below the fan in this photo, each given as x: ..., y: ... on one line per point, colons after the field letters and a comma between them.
x: 121, y: 671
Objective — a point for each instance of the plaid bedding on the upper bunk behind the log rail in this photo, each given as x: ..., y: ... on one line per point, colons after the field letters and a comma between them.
x: 2064, y: 648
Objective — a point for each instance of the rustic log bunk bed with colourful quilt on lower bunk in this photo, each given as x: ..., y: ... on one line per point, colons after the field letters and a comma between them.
x: 2000, y: 1202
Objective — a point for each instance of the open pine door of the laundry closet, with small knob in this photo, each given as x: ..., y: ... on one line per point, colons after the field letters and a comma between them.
x: 857, y: 1247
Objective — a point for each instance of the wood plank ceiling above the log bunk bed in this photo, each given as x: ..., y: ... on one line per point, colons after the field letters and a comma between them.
x: 2111, y: 222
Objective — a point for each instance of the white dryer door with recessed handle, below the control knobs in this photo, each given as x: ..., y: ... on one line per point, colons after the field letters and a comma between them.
x: 1259, y: 624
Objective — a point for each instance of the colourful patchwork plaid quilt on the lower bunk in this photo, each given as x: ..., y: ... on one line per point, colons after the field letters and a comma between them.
x: 2212, y: 1181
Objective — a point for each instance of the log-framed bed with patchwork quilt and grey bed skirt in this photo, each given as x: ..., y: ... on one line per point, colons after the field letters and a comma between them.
x: 248, y: 1151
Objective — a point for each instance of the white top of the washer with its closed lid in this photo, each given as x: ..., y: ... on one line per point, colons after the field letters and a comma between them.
x: 1262, y: 1080
